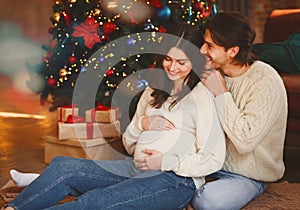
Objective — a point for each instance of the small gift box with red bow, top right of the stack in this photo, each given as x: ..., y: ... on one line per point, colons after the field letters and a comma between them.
x: 102, y: 114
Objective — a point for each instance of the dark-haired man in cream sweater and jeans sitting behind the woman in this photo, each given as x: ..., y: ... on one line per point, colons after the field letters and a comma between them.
x: 251, y: 104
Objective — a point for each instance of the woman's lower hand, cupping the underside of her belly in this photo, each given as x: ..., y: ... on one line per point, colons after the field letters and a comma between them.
x: 152, y: 160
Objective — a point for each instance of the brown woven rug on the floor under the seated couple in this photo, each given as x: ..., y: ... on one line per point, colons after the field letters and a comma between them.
x: 278, y: 196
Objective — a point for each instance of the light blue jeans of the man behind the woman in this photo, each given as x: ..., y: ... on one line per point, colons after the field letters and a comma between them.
x: 228, y: 192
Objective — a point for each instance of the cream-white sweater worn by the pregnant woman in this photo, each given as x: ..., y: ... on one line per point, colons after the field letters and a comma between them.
x: 195, y: 148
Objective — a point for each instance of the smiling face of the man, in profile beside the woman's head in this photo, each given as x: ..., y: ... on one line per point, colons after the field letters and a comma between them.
x: 216, y: 56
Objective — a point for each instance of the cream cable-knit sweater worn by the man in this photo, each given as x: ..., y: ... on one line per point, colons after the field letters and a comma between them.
x: 254, y: 115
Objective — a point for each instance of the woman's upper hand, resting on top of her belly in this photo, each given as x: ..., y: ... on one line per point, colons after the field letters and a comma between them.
x: 156, y: 122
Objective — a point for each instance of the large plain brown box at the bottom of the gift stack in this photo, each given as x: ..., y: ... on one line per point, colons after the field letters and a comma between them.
x: 95, y: 149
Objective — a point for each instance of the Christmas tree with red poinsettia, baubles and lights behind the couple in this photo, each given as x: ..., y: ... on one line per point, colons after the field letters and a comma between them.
x: 80, y: 28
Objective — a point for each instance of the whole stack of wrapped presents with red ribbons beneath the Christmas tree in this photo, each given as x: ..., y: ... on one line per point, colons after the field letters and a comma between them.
x: 95, y: 136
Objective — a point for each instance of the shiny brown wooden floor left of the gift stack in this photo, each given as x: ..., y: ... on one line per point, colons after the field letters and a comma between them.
x: 21, y: 146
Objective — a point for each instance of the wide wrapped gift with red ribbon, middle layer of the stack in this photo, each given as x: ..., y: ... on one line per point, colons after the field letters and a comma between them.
x: 88, y: 130
